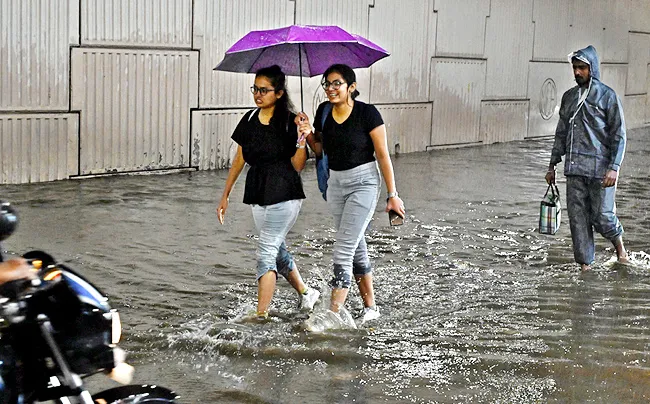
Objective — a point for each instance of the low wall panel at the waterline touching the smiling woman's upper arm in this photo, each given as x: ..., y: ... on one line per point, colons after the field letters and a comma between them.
x: 408, y: 126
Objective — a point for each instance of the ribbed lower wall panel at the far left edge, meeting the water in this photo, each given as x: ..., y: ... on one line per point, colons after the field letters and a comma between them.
x: 37, y: 147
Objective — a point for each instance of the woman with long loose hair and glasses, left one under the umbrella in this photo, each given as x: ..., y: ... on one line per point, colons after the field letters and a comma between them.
x: 268, y: 141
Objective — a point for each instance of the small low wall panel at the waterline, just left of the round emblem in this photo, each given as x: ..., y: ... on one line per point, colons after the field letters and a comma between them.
x: 504, y: 121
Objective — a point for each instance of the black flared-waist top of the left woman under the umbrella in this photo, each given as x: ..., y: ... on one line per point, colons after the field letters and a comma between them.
x: 268, y: 150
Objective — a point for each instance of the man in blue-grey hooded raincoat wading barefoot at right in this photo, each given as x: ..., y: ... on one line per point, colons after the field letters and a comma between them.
x: 591, y: 136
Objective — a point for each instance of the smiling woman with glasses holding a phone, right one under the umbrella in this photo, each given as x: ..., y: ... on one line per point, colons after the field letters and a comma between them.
x: 353, y: 136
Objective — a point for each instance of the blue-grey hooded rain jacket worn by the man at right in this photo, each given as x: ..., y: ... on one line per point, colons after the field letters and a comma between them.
x: 591, y: 135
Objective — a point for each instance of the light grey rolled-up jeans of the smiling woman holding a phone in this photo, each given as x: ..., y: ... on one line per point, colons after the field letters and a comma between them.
x: 352, y: 198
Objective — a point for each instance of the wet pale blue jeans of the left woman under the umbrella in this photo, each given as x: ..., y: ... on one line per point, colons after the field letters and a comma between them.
x: 273, y: 222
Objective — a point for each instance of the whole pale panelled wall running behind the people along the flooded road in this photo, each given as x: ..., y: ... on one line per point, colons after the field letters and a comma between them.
x: 89, y: 87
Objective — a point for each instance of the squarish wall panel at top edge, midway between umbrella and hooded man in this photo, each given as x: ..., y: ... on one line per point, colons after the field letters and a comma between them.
x: 461, y: 27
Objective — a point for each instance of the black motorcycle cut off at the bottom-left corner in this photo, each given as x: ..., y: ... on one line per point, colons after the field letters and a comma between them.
x: 56, y: 330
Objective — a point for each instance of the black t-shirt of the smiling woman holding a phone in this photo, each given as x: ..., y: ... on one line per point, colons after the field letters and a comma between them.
x: 349, y: 144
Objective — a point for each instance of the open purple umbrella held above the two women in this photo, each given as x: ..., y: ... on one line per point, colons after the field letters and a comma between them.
x: 300, y: 50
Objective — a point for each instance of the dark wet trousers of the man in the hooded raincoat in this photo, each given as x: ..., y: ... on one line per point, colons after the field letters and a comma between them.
x: 590, y: 207
